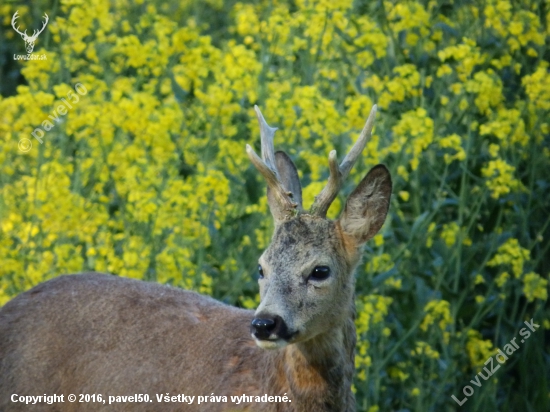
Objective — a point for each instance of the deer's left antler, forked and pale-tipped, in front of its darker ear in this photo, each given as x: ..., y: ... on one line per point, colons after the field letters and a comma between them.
x: 280, y: 199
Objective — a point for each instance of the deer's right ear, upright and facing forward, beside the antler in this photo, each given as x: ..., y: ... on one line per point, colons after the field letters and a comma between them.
x: 367, y: 206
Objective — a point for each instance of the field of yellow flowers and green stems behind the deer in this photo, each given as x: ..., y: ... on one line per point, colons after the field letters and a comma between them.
x: 146, y: 176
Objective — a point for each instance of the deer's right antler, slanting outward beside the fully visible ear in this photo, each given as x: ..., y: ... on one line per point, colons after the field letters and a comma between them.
x: 339, y: 173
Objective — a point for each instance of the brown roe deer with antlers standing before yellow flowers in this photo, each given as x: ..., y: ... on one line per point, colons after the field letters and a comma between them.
x: 102, y: 334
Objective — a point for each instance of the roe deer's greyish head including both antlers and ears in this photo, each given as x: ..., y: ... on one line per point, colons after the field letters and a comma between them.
x: 306, y: 274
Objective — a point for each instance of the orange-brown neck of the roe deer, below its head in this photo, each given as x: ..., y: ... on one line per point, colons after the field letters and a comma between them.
x: 317, y: 374
